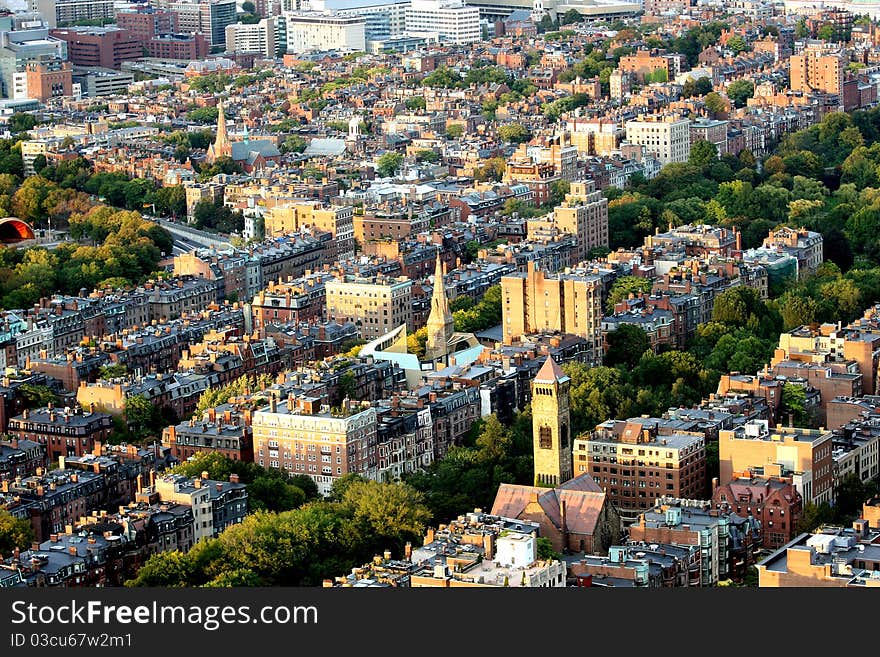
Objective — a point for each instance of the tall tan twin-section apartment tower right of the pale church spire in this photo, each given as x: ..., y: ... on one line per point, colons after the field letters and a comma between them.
x: 533, y: 302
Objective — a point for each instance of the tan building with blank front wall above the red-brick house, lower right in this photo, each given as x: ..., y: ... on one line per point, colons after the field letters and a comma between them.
x: 804, y: 452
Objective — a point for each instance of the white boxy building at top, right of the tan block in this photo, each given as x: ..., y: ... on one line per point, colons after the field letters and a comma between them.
x: 322, y: 31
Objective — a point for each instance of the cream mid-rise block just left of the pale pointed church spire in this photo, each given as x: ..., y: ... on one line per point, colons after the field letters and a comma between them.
x: 377, y: 305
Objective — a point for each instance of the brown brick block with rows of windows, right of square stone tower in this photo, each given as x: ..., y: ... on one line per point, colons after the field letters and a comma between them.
x: 638, y: 461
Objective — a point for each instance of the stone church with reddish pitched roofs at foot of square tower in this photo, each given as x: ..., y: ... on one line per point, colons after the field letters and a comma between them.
x: 576, y: 516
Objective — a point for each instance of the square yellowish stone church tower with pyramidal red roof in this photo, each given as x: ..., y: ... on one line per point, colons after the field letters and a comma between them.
x: 551, y: 426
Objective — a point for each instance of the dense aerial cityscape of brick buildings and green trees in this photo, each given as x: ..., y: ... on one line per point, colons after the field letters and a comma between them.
x: 439, y: 293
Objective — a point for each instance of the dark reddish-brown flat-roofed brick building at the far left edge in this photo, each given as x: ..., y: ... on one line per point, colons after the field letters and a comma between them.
x: 67, y: 432
